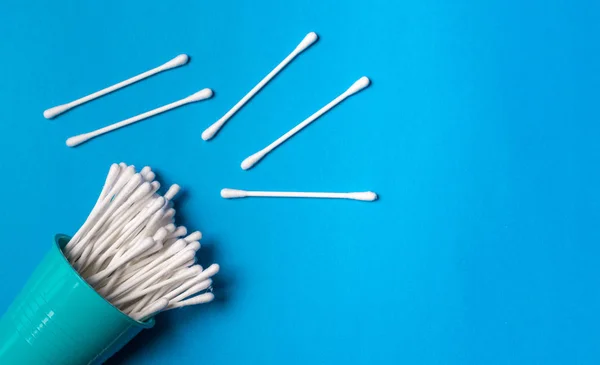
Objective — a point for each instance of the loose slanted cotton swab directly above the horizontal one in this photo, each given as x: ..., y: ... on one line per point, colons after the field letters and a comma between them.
x: 356, y: 87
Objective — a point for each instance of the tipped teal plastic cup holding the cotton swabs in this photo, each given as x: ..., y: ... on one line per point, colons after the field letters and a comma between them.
x: 58, y: 319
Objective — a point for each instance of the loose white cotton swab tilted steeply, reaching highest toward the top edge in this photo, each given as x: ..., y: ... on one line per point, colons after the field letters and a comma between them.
x: 308, y: 40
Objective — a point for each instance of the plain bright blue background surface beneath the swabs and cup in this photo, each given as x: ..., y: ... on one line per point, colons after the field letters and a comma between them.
x: 479, y: 132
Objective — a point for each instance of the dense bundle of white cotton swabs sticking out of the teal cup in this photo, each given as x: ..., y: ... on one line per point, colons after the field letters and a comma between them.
x: 130, y: 251
